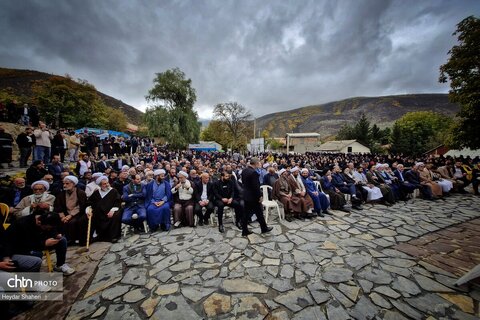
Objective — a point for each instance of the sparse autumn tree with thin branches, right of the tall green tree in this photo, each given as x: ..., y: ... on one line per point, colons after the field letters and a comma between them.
x: 237, y: 120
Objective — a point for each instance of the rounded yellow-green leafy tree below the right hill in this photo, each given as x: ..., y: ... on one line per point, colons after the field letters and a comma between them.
x: 416, y: 132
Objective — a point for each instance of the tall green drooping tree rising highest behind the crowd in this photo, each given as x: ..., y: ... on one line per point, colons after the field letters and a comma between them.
x: 172, y: 116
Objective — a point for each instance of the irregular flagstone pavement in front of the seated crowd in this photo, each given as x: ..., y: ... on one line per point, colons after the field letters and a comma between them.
x: 345, y: 266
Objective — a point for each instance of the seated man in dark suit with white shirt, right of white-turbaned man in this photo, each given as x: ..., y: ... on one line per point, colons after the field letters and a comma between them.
x: 204, y: 198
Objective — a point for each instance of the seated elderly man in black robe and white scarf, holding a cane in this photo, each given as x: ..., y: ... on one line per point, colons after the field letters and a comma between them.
x: 107, y: 219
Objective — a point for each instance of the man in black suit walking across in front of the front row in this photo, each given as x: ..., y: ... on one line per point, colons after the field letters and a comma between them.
x: 252, y: 196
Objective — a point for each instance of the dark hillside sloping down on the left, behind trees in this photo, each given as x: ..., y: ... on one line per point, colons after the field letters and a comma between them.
x: 20, y: 82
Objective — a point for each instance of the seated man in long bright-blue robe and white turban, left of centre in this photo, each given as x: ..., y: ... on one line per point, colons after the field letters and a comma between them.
x: 158, y: 201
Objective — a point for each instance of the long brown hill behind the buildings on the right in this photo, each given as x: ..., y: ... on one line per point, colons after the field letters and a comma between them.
x: 328, y: 118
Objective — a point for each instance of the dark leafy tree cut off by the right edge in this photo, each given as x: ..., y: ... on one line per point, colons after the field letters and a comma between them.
x: 463, y: 72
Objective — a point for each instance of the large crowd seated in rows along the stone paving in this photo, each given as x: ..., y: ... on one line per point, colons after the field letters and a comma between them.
x: 51, y: 208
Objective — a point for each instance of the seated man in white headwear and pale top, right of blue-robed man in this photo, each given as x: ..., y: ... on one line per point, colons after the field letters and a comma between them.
x: 183, y: 201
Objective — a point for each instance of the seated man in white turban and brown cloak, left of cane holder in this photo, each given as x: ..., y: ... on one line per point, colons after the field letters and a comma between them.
x: 70, y: 204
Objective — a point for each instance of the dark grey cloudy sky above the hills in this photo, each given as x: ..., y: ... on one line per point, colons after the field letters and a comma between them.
x: 267, y: 55
